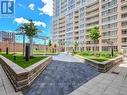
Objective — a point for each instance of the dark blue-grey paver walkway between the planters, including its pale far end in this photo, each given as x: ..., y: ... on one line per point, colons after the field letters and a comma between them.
x: 61, y: 77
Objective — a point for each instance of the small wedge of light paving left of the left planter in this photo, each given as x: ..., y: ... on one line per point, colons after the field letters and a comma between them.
x: 6, y: 87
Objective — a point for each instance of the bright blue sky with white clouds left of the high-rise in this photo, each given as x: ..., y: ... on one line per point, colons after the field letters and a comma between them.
x: 40, y: 11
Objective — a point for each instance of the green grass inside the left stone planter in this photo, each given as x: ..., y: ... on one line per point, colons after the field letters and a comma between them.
x: 21, y: 61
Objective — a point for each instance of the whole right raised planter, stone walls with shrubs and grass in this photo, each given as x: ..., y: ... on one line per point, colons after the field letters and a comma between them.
x: 103, y: 61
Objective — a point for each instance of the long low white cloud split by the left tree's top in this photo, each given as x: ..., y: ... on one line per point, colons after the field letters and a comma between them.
x: 22, y: 20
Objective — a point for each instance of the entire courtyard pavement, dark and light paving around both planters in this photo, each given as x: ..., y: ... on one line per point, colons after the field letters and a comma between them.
x: 68, y: 75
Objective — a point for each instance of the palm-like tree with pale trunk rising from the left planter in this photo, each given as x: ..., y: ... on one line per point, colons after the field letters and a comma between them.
x: 30, y: 30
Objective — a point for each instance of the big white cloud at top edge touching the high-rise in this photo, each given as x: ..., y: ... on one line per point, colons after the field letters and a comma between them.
x: 47, y: 8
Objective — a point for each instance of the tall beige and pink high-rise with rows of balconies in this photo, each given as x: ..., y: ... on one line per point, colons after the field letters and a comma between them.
x: 73, y: 19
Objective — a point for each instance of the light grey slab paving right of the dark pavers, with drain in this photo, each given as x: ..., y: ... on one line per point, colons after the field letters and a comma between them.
x: 106, y: 83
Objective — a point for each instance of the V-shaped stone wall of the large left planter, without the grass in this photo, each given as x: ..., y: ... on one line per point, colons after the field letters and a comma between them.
x: 20, y: 77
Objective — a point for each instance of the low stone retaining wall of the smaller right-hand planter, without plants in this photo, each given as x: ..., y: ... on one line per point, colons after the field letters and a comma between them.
x: 102, y: 66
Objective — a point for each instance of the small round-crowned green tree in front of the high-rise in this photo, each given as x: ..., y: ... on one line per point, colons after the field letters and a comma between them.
x: 94, y: 35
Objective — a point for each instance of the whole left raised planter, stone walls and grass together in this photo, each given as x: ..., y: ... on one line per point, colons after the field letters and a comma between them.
x: 22, y: 73
